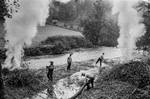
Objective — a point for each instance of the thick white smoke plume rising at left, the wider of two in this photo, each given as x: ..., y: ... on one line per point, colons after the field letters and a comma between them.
x: 21, y: 28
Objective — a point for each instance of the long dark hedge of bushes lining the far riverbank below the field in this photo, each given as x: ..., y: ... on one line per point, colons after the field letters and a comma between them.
x: 57, y: 45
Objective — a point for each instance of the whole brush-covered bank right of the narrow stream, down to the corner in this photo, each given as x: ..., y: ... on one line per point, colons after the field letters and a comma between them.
x: 123, y: 81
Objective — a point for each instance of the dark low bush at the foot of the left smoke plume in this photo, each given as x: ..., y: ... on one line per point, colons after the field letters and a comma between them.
x: 20, y: 78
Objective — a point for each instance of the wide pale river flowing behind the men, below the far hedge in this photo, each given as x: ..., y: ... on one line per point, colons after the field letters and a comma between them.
x: 83, y: 55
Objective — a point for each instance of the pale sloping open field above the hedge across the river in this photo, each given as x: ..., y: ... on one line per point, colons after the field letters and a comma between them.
x: 43, y: 33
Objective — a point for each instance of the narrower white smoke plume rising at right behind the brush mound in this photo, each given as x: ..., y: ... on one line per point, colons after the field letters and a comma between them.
x: 131, y: 28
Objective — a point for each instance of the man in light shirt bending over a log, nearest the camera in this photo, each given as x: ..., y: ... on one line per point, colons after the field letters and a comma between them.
x: 90, y: 79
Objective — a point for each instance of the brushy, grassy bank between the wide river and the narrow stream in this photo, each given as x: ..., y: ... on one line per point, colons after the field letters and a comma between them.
x: 26, y: 83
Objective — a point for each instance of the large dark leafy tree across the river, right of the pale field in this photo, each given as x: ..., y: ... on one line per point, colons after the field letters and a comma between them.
x: 99, y: 29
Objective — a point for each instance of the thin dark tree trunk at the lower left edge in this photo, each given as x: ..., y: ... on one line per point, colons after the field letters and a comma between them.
x: 1, y: 83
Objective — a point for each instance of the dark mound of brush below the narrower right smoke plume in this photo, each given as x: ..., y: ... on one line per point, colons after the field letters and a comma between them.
x: 136, y: 73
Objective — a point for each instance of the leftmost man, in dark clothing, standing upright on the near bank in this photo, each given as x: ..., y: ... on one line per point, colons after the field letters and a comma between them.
x: 50, y: 71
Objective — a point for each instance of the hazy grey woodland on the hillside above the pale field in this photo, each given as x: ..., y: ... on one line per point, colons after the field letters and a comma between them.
x: 72, y: 11
